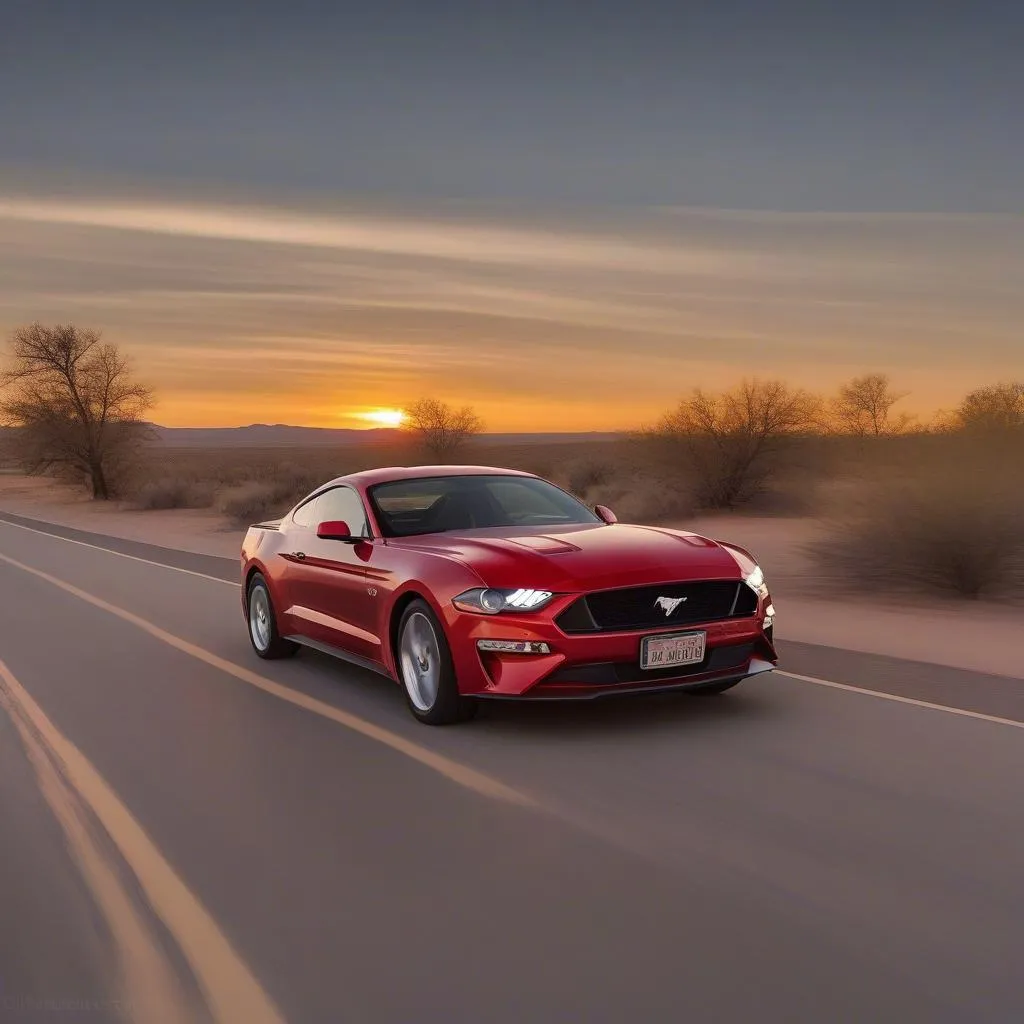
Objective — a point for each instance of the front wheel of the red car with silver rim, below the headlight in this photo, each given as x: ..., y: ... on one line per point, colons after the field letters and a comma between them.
x: 425, y: 667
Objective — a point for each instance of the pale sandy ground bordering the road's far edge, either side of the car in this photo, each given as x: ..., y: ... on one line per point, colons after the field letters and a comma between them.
x: 982, y: 637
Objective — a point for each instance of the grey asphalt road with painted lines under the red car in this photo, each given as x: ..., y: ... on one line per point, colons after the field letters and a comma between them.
x: 192, y: 835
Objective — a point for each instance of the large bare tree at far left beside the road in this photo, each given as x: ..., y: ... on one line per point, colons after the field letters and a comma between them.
x: 74, y: 404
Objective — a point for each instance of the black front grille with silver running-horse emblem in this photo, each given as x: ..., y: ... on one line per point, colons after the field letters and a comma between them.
x: 638, y: 609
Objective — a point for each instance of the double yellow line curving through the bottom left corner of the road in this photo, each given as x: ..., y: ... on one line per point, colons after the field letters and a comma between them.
x: 231, y: 990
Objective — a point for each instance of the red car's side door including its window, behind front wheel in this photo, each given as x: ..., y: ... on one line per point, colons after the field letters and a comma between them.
x: 331, y: 596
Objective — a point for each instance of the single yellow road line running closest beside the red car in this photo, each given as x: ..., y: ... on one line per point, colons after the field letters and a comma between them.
x: 462, y: 775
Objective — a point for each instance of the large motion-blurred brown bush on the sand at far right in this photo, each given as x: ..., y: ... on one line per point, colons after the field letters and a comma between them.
x: 952, y: 533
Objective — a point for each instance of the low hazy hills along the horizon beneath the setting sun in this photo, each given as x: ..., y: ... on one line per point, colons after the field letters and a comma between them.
x: 275, y: 435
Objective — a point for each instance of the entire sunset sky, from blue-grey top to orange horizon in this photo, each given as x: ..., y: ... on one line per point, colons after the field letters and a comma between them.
x: 567, y: 215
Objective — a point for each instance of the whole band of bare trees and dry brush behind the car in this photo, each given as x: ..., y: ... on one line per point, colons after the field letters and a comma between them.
x: 906, y: 505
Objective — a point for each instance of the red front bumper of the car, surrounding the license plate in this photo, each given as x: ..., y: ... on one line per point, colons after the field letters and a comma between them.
x: 599, y: 665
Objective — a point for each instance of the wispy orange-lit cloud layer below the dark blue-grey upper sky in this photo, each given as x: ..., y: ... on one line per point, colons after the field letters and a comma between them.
x: 313, y: 311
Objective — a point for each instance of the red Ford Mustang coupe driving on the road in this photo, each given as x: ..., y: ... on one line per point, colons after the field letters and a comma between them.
x: 464, y: 583
